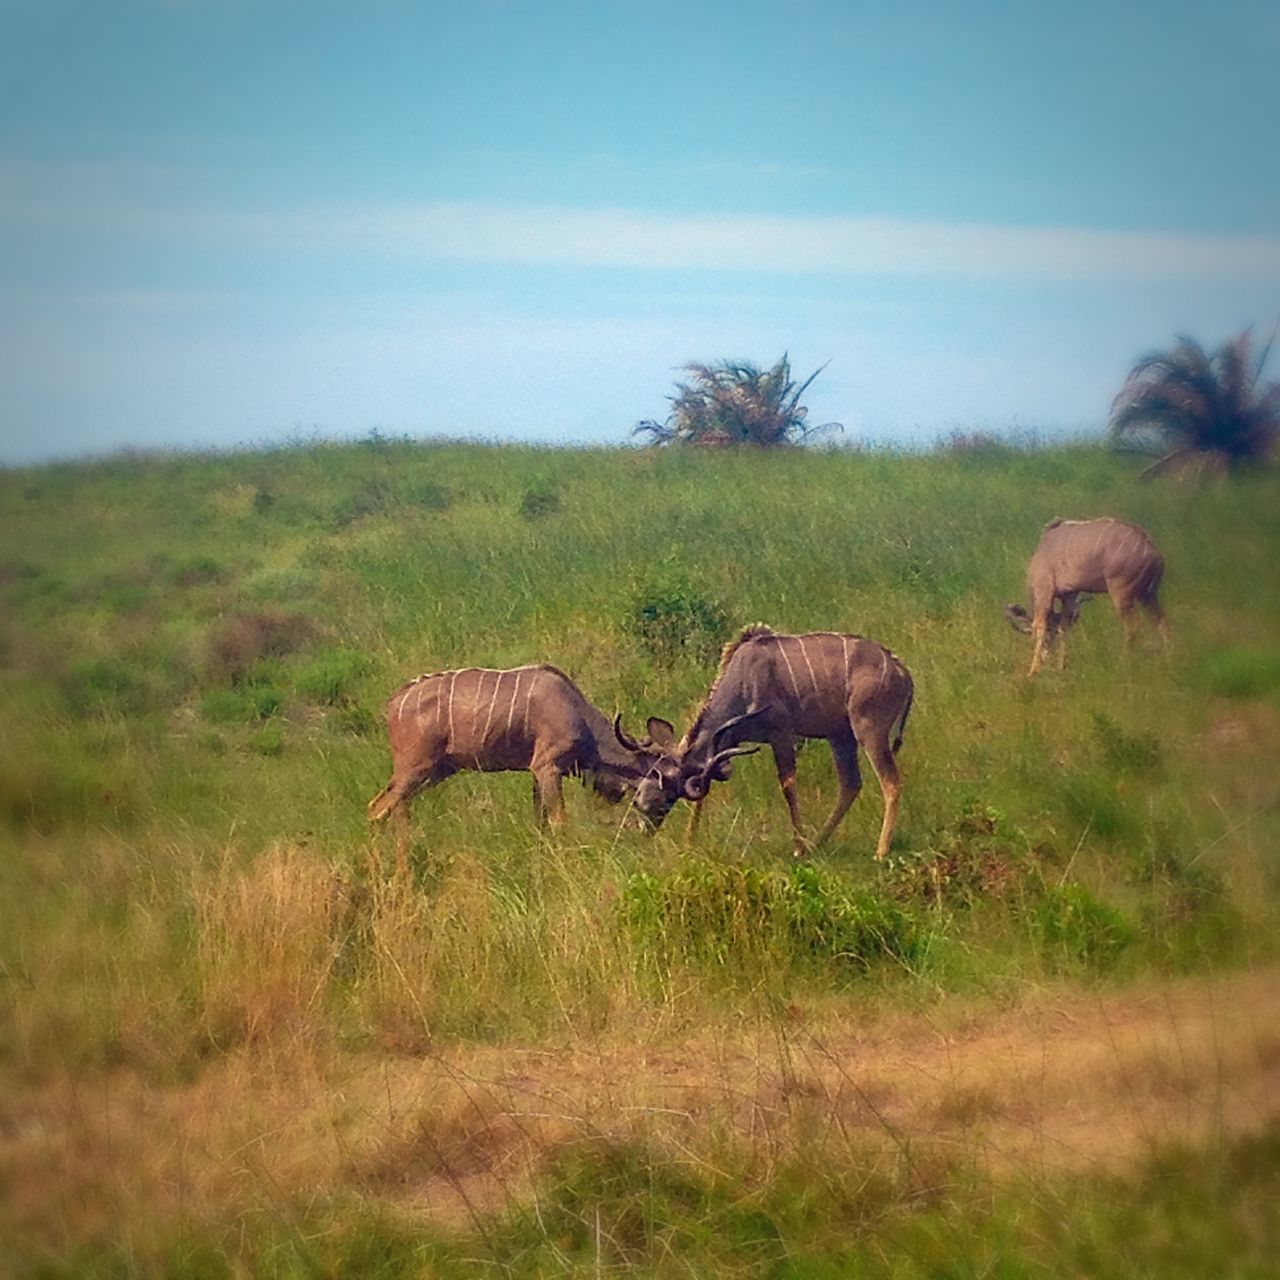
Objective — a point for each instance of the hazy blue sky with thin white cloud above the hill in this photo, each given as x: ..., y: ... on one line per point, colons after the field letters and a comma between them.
x: 231, y: 223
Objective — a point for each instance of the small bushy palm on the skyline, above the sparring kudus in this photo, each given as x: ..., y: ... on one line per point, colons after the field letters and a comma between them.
x: 732, y: 404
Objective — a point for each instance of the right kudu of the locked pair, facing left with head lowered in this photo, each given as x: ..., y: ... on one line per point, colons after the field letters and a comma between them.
x: 776, y: 689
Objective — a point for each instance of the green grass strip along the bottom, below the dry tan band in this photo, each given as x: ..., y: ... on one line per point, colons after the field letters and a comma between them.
x: 610, y: 1209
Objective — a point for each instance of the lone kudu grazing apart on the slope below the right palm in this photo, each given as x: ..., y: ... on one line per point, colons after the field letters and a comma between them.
x: 1085, y: 557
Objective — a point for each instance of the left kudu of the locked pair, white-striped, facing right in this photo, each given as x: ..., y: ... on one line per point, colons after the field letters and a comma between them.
x: 529, y: 719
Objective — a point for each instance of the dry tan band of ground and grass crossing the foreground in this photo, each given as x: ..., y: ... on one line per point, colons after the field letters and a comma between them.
x: 1064, y: 1082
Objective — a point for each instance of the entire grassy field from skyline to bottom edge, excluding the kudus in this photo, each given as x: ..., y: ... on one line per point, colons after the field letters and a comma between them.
x: 231, y: 1040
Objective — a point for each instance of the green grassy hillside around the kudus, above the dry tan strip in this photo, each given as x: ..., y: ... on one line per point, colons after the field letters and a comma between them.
x: 196, y: 651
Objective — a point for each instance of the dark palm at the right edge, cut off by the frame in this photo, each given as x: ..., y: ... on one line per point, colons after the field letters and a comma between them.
x: 1204, y: 412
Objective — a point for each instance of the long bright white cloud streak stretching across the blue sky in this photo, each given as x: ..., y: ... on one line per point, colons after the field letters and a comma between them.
x: 847, y: 246
